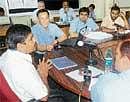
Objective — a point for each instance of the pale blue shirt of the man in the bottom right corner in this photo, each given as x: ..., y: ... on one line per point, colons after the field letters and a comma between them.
x: 112, y: 87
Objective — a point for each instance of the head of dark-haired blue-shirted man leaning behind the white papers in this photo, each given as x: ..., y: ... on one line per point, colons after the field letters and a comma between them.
x: 83, y: 14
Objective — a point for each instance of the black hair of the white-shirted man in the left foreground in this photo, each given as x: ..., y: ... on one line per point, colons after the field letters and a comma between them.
x: 16, y: 34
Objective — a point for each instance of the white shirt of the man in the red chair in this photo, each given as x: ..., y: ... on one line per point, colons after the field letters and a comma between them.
x: 22, y: 76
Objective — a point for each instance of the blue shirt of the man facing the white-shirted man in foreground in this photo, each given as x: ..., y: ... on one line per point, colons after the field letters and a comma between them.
x: 46, y: 36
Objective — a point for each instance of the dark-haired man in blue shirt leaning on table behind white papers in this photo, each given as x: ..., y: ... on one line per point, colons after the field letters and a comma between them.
x: 83, y: 21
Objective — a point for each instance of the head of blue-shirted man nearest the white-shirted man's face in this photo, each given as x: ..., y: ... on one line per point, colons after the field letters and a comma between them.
x: 43, y: 17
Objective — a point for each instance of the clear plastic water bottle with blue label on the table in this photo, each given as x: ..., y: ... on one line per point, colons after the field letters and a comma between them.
x: 108, y: 60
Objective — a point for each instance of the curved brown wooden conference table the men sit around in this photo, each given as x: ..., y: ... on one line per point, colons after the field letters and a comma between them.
x: 80, y: 56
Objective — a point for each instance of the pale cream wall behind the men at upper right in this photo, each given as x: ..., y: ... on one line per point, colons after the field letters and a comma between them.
x: 103, y: 6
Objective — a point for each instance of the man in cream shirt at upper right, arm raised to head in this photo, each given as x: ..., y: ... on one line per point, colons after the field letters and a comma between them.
x: 116, y: 17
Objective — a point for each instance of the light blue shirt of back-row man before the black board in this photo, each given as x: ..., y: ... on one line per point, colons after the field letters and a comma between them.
x: 68, y: 16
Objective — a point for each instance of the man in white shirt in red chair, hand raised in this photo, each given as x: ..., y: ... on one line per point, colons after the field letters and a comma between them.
x: 16, y: 65
